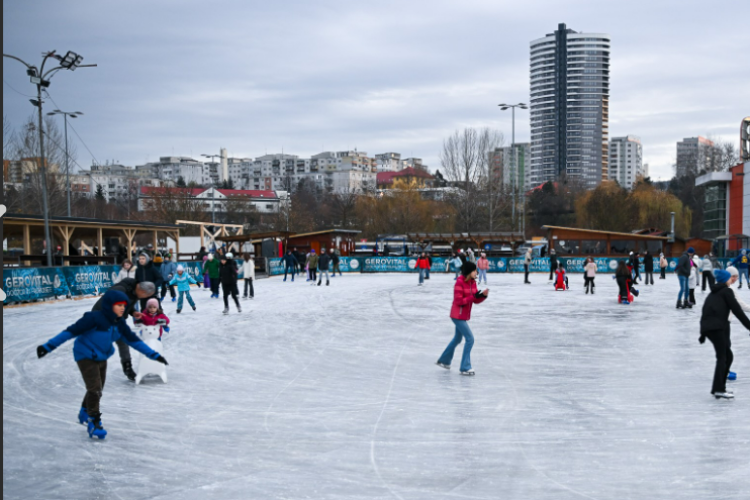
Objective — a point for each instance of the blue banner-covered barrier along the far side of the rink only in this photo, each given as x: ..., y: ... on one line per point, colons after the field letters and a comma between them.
x: 368, y: 265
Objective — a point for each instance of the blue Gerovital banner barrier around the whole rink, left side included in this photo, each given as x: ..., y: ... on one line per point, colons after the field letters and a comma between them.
x: 36, y: 283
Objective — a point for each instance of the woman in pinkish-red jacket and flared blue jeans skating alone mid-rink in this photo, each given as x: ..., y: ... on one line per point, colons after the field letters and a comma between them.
x: 465, y: 294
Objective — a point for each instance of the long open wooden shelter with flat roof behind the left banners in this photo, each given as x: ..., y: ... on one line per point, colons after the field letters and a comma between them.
x: 82, y: 241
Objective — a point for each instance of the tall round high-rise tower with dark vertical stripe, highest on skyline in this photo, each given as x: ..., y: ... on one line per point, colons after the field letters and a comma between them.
x: 569, y: 107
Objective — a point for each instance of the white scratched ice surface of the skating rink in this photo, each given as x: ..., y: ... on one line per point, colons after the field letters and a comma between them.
x: 332, y: 393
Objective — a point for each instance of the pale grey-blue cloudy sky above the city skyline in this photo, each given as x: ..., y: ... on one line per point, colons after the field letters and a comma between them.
x: 187, y: 77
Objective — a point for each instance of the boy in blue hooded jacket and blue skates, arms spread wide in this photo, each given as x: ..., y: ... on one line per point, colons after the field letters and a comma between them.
x: 94, y: 336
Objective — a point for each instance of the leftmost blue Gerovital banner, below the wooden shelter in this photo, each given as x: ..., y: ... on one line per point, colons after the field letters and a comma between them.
x: 34, y: 283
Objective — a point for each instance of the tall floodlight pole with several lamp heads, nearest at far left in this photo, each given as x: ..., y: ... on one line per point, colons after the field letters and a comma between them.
x: 38, y: 77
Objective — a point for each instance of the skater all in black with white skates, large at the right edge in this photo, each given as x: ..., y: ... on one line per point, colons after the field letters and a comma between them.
x: 715, y: 327
